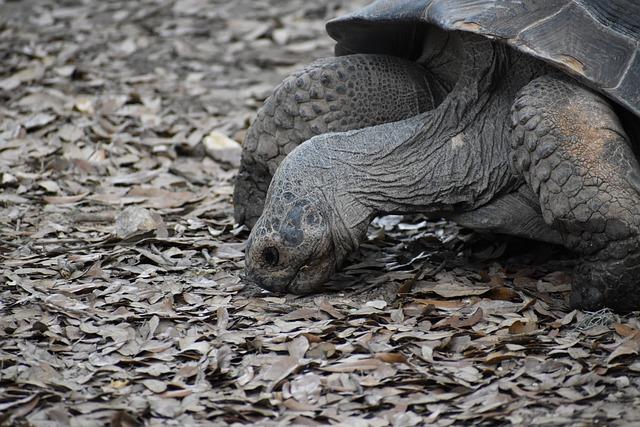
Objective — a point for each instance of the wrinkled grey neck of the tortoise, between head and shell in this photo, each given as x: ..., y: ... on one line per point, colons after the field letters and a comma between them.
x: 407, y: 166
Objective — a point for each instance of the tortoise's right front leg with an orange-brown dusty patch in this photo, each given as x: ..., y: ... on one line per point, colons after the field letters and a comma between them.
x: 574, y: 153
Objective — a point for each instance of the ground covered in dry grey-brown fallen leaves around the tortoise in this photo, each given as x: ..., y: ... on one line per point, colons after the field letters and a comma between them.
x: 120, y: 296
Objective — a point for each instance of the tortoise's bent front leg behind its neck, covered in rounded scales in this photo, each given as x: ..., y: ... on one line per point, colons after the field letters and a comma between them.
x: 330, y: 95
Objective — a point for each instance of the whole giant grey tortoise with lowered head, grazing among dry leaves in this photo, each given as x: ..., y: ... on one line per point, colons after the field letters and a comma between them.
x: 503, y: 116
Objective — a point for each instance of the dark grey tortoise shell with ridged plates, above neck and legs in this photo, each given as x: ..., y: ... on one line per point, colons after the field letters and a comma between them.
x: 595, y: 40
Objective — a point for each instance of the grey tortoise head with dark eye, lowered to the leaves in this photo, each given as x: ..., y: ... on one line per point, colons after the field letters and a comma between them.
x: 290, y: 248
